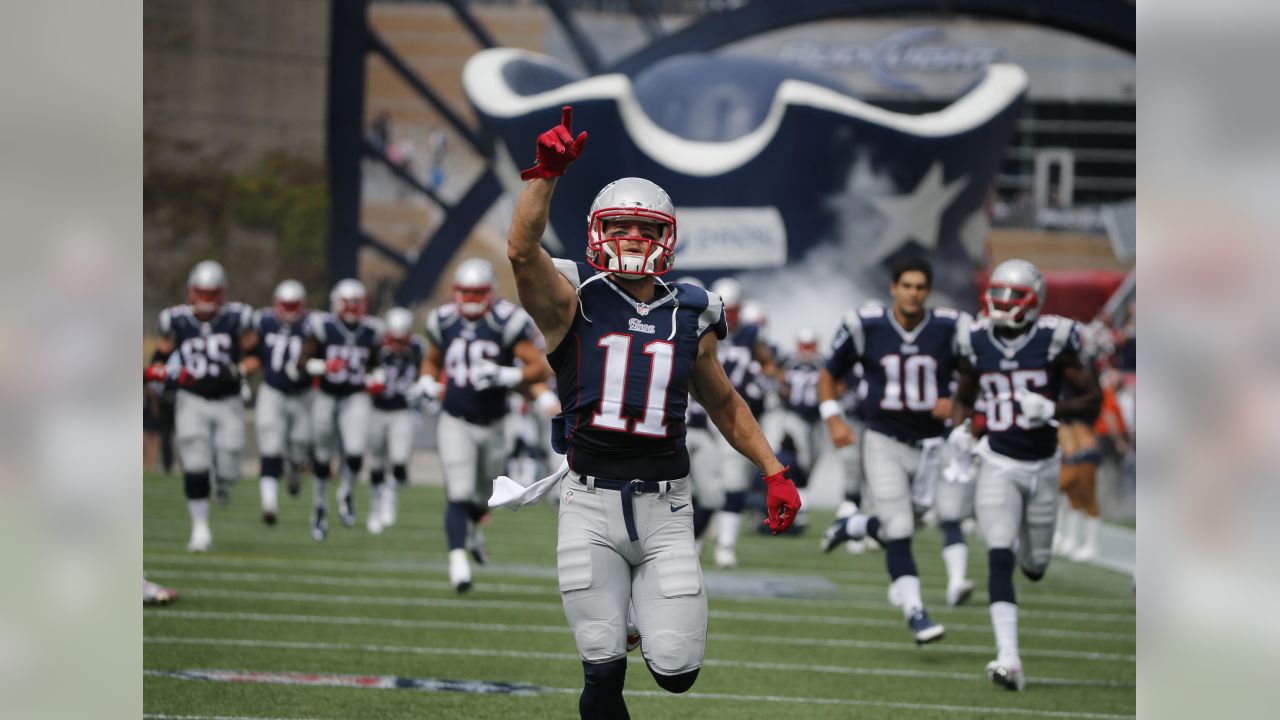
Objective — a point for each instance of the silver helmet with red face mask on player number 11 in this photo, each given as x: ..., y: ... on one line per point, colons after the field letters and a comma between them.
x: 633, y: 200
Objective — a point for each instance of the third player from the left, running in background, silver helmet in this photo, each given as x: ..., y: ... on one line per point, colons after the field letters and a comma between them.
x: 341, y: 349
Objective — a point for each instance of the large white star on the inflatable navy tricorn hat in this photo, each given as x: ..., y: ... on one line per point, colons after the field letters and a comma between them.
x: 916, y: 216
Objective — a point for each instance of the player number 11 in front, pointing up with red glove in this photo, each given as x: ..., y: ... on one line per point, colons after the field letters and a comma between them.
x: 628, y: 350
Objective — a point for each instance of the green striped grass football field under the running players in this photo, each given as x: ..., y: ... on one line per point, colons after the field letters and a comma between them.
x: 271, y: 600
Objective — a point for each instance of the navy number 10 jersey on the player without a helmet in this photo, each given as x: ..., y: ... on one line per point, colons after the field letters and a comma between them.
x: 906, y: 372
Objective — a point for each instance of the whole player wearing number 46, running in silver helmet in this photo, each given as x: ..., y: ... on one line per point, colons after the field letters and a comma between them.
x: 476, y: 344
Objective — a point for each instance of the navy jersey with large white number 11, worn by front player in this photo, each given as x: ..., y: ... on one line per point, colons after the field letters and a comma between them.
x: 623, y: 375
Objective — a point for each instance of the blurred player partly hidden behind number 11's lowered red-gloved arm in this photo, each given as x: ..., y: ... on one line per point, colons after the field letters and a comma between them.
x: 749, y: 366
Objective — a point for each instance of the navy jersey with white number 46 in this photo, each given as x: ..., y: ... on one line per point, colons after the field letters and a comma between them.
x: 464, y: 344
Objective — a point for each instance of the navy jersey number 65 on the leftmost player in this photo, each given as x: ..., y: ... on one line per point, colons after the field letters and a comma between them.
x: 208, y: 350
